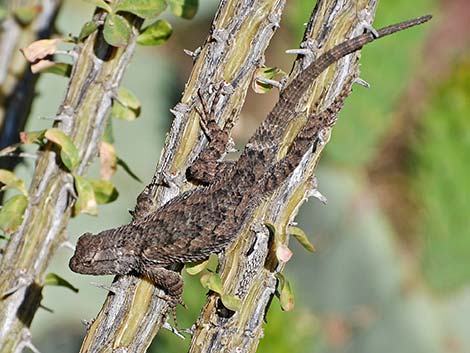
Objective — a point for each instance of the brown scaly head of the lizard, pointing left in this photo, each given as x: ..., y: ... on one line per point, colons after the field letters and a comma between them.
x: 100, y: 255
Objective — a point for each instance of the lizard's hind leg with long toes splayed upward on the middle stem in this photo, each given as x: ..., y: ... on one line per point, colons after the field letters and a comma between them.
x: 208, y: 166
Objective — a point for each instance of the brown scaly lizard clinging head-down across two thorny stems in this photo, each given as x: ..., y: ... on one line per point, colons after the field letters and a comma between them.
x: 206, y: 219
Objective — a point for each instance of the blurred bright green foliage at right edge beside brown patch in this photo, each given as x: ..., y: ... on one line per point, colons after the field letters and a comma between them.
x: 441, y: 181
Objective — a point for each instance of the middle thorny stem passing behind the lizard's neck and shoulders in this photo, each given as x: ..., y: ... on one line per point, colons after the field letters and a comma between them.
x: 132, y: 315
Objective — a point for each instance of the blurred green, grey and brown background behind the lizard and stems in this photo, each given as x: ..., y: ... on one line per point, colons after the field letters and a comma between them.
x: 392, y: 268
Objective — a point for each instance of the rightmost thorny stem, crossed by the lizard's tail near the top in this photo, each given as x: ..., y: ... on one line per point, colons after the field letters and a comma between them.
x: 248, y: 269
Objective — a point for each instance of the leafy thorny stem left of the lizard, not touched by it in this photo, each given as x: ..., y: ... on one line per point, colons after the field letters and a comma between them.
x: 96, y: 75
